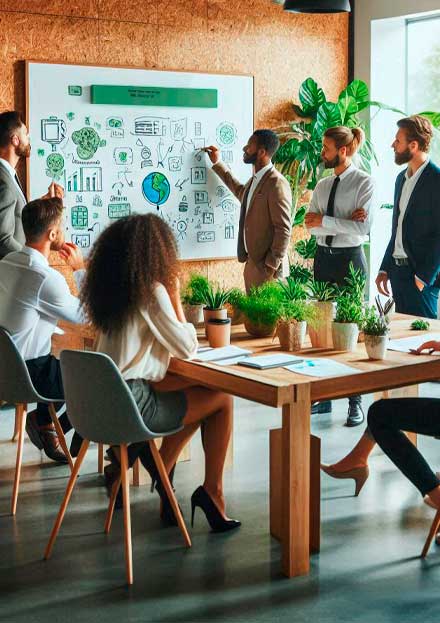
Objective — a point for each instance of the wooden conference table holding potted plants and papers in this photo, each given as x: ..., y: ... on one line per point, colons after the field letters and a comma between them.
x: 293, y: 394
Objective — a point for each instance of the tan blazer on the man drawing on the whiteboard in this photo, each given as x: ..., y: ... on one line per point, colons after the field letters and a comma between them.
x: 267, y: 225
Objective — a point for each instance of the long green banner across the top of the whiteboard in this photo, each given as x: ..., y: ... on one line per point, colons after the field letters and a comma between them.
x: 154, y: 96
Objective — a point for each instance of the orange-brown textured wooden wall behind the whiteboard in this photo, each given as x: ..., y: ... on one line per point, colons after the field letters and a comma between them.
x: 231, y: 36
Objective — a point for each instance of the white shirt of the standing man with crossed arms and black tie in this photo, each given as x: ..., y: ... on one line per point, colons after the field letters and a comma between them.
x: 355, y: 190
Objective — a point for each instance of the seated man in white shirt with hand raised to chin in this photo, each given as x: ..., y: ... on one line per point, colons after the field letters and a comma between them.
x: 33, y: 297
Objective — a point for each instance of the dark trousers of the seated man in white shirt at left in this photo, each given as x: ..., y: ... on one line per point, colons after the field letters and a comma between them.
x: 45, y: 373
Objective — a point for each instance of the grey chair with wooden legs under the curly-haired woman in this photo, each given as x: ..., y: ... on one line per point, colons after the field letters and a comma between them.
x: 102, y: 409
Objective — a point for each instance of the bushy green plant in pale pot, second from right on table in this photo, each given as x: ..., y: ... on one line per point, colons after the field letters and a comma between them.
x: 345, y: 327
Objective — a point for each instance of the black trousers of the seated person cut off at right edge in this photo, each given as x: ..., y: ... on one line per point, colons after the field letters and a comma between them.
x: 386, y: 421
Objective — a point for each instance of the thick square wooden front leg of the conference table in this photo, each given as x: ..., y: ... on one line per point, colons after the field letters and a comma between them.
x: 296, y: 483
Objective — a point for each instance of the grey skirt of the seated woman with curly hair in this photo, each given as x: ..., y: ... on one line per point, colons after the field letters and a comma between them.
x: 161, y: 411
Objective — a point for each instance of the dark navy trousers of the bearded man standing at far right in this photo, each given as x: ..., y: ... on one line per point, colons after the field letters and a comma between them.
x: 409, y: 299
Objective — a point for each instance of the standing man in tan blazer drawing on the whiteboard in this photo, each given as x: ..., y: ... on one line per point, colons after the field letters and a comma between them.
x: 266, y: 205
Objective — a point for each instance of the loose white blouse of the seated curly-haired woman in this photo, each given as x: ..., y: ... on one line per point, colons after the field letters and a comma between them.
x: 143, y: 348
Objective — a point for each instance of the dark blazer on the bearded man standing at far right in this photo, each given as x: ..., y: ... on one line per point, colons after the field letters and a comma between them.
x: 420, y: 227
